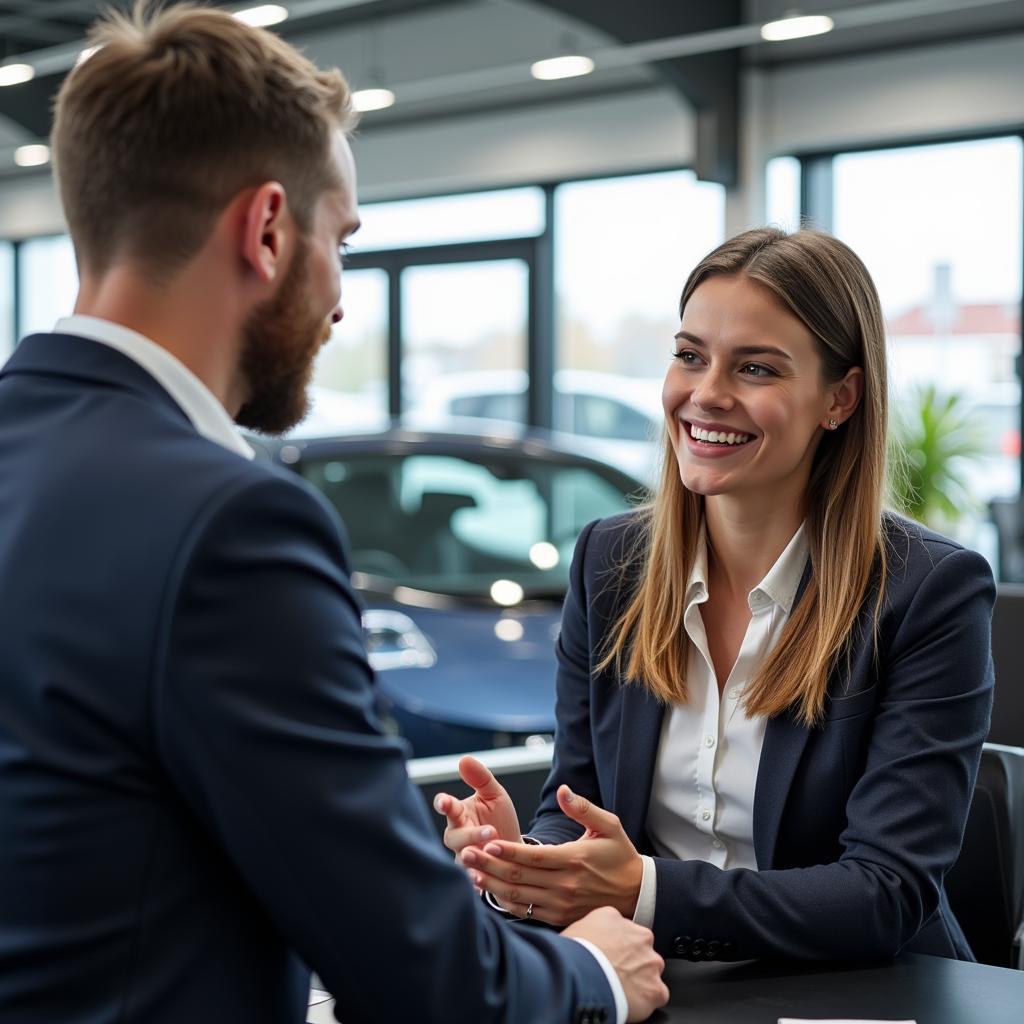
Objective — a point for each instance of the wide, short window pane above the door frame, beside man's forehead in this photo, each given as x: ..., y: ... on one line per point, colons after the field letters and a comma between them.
x: 510, y: 214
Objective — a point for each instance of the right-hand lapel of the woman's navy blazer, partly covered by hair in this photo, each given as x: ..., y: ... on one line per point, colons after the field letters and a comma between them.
x: 784, y: 744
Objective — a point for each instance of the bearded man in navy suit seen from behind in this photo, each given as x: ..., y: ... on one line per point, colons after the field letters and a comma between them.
x: 192, y: 772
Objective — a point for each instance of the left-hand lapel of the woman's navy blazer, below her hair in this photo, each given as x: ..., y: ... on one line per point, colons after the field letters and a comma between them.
x: 639, y: 732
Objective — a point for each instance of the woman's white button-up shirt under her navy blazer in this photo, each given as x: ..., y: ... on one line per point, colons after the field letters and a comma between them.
x: 702, y: 801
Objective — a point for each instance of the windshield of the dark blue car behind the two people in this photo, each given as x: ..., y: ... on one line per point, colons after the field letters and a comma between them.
x: 501, y: 526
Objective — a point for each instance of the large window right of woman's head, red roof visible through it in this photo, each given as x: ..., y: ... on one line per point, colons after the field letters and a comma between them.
x: 940, y: 228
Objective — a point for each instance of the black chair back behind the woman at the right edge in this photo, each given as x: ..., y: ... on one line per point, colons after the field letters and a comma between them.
x: 987, y: 885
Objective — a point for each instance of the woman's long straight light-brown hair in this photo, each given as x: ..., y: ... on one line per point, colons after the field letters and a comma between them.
x: 827, y: 287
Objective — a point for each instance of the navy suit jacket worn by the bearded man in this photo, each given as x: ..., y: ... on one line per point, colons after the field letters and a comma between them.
x: 197, y: 803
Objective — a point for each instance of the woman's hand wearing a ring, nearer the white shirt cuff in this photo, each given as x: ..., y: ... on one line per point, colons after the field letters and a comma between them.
x: 564, y: 883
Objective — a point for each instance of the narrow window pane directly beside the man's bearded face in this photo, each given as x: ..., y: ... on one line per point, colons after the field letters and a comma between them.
x: 351, y: 378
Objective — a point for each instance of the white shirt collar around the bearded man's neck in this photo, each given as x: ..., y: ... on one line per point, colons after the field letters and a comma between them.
x: 207, y: 415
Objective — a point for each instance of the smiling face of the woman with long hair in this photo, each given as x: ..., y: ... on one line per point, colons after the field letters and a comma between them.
x: 745, y: 400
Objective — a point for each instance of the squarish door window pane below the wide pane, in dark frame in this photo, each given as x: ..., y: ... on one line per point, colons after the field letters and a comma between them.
x: 464, y: 337
